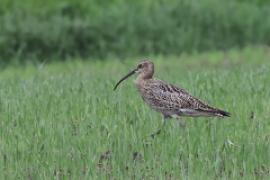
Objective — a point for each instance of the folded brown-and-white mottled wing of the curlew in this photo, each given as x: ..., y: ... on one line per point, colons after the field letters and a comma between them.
x: 161, y: 95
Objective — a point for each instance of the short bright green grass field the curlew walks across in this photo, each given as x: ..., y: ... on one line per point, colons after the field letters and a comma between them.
x: 64, y: 121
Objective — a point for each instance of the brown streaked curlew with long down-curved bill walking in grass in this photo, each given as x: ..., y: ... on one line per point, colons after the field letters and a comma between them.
x: 168, y: 99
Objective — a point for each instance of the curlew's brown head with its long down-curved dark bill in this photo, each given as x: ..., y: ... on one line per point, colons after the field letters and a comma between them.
x: 144, y: 69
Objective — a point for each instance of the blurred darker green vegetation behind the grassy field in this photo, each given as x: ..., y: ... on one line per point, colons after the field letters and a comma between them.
x: 36, y: 30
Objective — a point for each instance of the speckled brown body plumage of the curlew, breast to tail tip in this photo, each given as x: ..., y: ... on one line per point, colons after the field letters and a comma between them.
x: 171, y: 100
